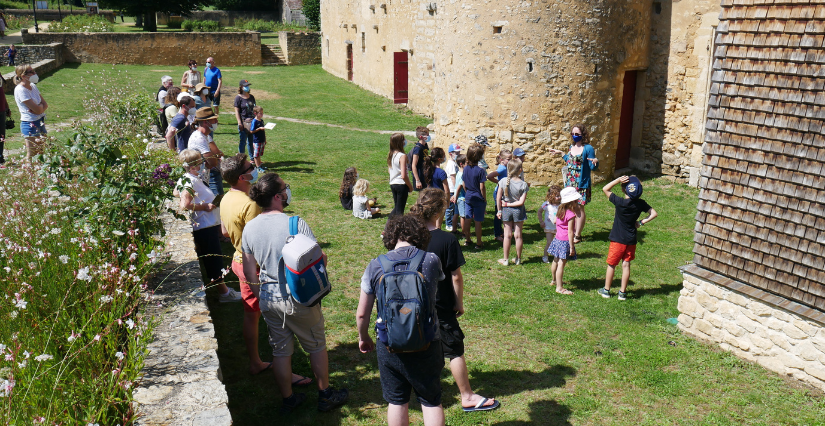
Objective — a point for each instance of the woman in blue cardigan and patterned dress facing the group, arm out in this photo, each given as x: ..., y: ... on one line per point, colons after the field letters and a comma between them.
x: 580, y: 160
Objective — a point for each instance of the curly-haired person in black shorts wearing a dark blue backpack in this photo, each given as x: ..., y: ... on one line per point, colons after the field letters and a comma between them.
x: 405, y: 283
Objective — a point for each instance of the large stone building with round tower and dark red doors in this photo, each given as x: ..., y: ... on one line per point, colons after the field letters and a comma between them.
x: 522, y: 73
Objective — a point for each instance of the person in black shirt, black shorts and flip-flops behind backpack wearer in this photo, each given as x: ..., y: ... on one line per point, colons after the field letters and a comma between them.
x: 449, y: 303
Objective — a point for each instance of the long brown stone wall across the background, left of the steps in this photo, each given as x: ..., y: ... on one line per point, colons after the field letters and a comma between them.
x: 167, y: 48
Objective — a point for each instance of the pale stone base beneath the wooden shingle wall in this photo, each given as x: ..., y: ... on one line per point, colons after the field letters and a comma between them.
x: 778, y: 339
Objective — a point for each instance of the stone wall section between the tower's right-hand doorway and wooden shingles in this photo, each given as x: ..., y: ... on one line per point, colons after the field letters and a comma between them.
x: 673, y: 94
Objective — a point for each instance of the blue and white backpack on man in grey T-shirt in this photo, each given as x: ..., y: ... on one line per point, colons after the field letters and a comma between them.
x: 302, y: 268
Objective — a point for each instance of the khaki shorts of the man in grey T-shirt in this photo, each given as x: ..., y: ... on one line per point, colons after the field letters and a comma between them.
x: 285, y: 319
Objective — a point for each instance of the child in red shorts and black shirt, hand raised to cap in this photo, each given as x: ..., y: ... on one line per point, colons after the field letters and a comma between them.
x: 623, y: 235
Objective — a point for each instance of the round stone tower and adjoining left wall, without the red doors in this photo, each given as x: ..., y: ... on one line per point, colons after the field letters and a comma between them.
x: 496, y: 69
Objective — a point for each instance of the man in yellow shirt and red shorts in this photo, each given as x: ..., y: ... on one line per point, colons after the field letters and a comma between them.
x: 236, y: 211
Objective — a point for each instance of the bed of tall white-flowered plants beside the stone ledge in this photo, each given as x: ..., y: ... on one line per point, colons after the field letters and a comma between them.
x: 79, y: 238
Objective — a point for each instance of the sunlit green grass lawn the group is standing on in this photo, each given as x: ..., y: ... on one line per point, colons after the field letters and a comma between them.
x: 550, y: 359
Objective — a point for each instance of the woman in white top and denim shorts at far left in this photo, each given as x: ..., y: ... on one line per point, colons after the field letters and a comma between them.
x: 32, y: 108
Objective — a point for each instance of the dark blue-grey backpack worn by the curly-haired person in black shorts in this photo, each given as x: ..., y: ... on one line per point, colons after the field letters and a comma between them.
x: 405, y: 321
